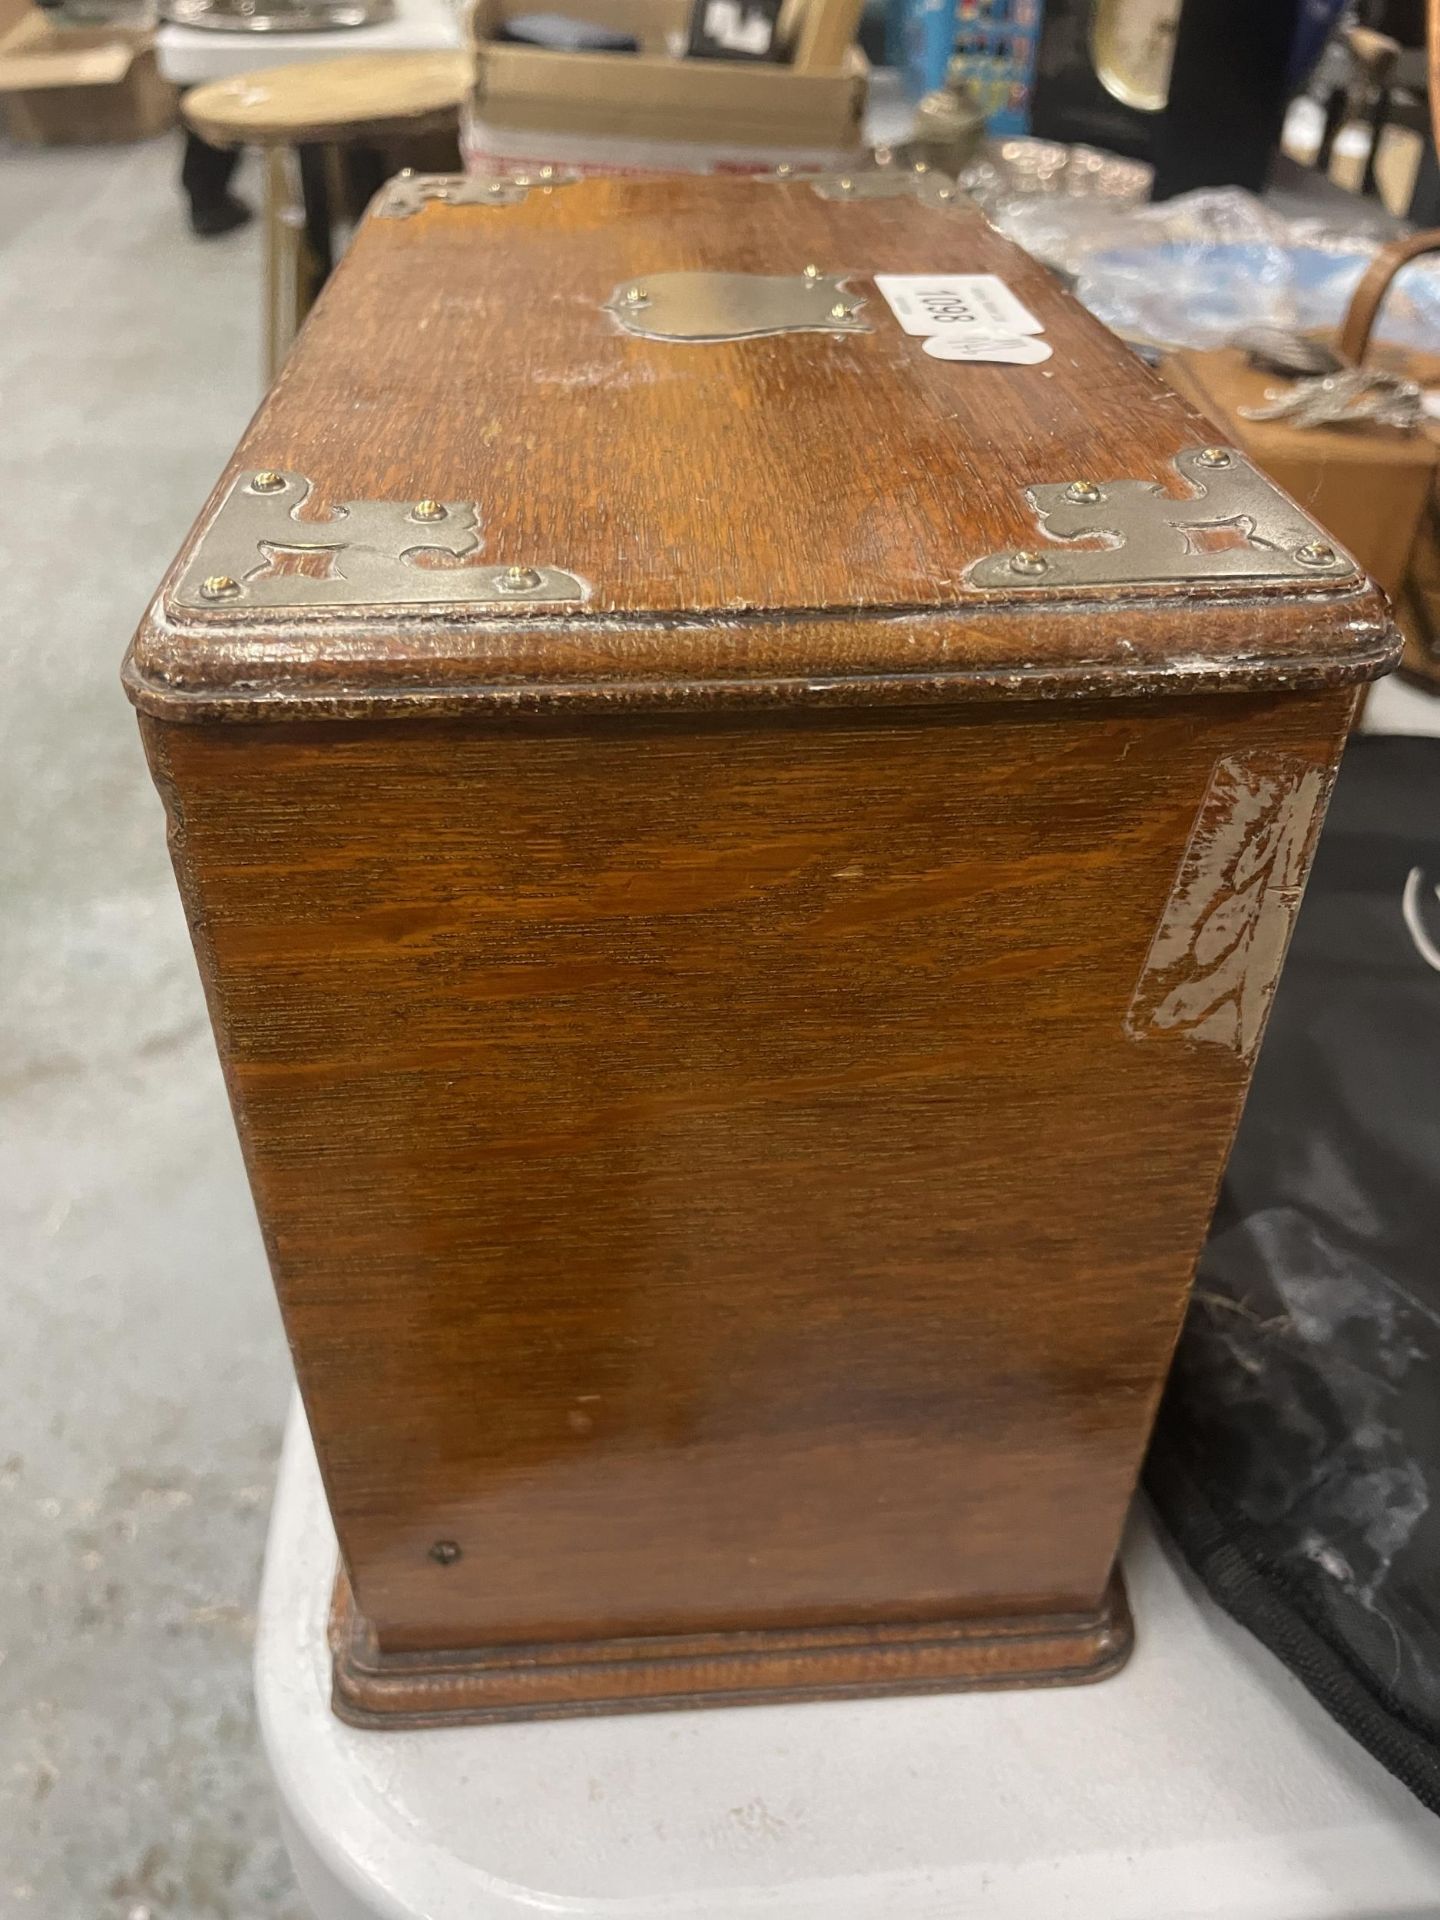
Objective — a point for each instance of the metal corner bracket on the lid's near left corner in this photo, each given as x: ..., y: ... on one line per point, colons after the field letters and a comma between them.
x: 370, y: 554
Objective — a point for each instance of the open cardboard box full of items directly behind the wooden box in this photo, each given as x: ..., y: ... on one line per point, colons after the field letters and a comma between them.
x: 752, y: 112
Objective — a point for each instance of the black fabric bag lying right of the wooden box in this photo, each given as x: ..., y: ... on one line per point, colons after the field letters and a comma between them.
x: 1297, y: 1460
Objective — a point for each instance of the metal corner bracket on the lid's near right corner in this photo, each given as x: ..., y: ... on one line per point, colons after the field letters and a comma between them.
x: 1234, y: 527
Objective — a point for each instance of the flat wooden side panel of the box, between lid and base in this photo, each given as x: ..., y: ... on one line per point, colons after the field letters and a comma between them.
x: 740, y: 1176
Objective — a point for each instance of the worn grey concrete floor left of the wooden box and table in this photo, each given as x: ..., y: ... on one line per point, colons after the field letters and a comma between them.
x: 143, y: 1372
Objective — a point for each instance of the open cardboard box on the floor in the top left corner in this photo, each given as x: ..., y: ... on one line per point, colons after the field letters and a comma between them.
x: 76, y: 85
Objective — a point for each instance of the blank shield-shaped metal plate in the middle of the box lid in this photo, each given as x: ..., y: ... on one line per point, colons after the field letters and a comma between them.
x: 736, y: 306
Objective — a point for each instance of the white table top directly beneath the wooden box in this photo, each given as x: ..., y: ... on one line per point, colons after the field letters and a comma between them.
x: 1199, y: 1785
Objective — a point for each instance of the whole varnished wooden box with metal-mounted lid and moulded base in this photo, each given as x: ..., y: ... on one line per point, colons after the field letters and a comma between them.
x: 740, y: 882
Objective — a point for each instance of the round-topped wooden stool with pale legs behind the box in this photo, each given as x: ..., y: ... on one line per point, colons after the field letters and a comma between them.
x: 320, y: 122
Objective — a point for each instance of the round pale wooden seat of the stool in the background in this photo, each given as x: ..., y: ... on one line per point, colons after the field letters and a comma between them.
x: 343, y: 99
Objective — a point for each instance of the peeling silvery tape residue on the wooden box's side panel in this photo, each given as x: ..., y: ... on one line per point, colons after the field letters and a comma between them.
x: 1218, y: 951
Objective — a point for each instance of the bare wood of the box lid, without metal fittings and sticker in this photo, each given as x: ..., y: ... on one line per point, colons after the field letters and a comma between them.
x: 750, y: 517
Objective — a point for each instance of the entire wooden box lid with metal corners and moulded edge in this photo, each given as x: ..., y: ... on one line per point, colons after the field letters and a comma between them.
x: 498, y: 469
